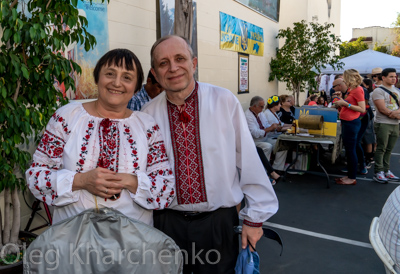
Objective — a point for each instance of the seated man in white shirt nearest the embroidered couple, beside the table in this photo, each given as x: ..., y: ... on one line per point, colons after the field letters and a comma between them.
x: 258, y: 125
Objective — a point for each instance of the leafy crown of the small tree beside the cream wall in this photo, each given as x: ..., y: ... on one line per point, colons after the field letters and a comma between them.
x: 307, y: 48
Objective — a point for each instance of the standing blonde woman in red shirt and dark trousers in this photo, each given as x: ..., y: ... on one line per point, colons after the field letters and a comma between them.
x: 351, y: 108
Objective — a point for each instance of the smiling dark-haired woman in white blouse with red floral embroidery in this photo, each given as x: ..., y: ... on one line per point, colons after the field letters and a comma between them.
x: 103, y: 152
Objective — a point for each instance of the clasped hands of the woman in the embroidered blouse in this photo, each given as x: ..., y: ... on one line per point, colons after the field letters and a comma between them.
x: 104, y: 183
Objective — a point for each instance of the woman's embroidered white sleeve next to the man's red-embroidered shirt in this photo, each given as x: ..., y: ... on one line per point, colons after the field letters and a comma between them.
x: 156, y: 185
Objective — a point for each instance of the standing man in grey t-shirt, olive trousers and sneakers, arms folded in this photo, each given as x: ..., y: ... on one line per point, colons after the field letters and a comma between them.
x: 386, y: 125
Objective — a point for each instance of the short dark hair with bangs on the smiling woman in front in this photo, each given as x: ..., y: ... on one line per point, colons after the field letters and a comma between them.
x: 117, y: 57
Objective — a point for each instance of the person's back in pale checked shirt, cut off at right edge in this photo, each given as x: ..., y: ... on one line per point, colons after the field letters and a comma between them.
x: 389, y: 228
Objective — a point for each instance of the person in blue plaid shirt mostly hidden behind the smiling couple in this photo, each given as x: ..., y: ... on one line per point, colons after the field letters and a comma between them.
x: 148, y: 91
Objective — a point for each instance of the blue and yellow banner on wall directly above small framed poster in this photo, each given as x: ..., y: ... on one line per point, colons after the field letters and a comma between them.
x: 241, y: 36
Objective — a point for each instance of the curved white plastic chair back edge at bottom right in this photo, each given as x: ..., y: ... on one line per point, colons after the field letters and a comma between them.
x: 380, y: 248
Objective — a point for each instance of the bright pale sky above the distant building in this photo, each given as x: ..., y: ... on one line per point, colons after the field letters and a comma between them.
x: 366, y: 13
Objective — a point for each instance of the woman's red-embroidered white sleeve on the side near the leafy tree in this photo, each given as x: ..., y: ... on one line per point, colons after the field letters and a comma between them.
x: 46, y: 179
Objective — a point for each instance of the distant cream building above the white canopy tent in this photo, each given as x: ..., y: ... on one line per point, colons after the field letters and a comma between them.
x: 382, y: 36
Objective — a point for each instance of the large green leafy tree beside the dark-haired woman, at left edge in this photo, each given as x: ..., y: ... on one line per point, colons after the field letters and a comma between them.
x: 34, y: 36
